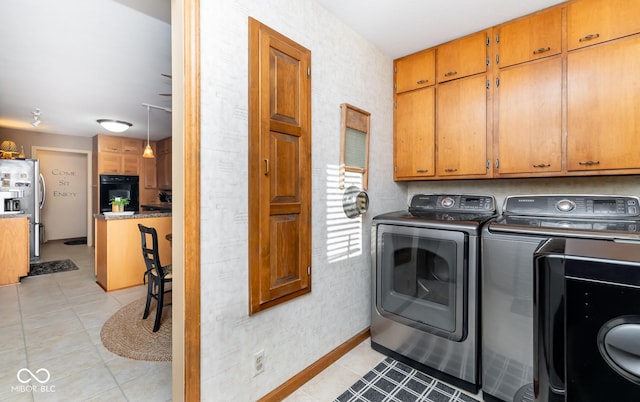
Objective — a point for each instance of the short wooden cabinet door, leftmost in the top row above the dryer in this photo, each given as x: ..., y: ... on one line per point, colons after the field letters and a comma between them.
x: 415, y: 71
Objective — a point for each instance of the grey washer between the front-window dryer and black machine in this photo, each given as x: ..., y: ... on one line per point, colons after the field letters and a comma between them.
x: 508, y: 244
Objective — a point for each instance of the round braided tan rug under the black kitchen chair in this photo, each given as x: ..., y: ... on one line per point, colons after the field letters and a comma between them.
x: 126, y: 334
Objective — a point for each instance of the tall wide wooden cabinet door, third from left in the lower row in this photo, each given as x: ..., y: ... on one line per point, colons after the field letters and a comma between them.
x: 530, y: 117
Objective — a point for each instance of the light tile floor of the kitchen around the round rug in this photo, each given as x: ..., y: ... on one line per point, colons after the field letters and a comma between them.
x: 53, y: 322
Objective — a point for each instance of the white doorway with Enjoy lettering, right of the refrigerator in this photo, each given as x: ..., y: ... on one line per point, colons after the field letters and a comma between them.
x: 66, y: 174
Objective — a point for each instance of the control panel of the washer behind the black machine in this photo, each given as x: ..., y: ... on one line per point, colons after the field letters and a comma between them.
x: 583, y: 206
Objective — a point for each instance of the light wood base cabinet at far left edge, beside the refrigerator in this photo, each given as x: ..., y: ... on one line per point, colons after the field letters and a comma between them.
x: 14, y: 248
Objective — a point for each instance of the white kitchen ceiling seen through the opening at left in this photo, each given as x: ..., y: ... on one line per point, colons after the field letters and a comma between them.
x: 79, y: 61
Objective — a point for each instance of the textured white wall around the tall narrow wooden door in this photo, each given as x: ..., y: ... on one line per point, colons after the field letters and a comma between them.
x: 345, y: 68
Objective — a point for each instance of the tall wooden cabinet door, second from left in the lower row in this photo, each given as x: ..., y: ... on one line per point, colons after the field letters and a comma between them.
x: 461, y: 133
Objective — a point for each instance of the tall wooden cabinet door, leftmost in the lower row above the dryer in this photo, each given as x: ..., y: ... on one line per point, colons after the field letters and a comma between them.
x: 414, y: 140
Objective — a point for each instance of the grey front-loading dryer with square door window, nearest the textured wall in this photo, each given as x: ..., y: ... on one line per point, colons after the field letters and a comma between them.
x: 425, y: 285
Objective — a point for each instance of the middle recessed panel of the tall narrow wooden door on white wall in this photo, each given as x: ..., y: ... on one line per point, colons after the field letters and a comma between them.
x: 285, y: 169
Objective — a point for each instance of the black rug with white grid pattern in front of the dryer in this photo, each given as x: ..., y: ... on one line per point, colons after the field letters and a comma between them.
x: 392, y: 380
